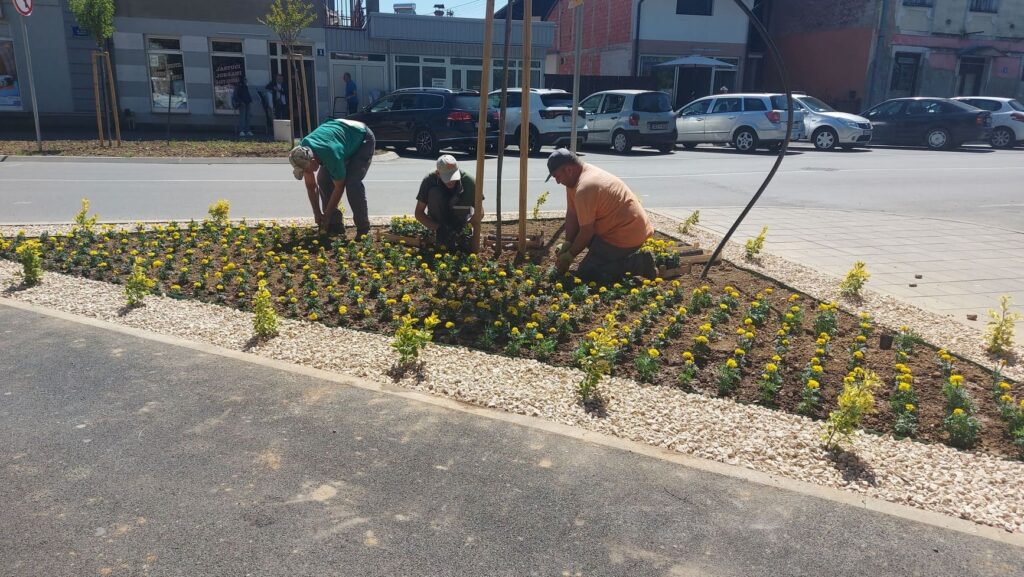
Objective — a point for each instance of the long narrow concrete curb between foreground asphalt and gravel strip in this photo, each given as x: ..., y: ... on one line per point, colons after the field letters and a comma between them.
x: 803, y: 488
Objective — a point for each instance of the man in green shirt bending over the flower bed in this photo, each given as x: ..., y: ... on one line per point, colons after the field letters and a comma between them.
x: 333, y: 159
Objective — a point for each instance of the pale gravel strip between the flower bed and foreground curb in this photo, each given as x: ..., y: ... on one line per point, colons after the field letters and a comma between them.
x: 976, y: 487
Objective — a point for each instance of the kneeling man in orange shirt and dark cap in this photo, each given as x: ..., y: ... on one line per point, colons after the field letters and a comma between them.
x: 604, y: 217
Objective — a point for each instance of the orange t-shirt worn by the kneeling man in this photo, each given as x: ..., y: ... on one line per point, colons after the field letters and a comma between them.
x: 616, y: 213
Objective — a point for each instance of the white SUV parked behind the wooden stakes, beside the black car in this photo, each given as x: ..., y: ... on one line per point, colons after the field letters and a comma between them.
x: 550, y: 117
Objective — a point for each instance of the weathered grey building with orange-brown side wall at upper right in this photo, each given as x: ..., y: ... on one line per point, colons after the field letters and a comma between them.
x: 859, y: 53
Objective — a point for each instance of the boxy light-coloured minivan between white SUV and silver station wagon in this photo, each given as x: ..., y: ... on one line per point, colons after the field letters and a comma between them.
x: 624, y: 119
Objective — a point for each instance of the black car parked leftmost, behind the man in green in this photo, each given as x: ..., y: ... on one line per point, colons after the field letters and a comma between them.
x: 430, y: 119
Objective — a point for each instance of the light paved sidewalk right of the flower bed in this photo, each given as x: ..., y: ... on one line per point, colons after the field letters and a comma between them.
x: 965, y: 268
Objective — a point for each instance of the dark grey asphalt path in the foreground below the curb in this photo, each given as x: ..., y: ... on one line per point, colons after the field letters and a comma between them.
x: 125, y: 457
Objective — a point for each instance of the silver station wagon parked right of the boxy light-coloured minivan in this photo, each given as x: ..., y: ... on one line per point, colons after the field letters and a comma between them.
x: 748, y: 121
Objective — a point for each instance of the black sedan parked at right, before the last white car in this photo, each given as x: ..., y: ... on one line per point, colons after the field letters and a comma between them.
x: 936, y: 123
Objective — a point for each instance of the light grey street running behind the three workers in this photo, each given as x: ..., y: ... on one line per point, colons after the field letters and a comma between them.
x: 976, y: 185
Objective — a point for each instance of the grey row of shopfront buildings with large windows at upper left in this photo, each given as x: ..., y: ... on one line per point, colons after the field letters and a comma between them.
x: 177, y: 63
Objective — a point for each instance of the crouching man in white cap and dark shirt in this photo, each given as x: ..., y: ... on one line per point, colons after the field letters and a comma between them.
x: 446, y: 204
